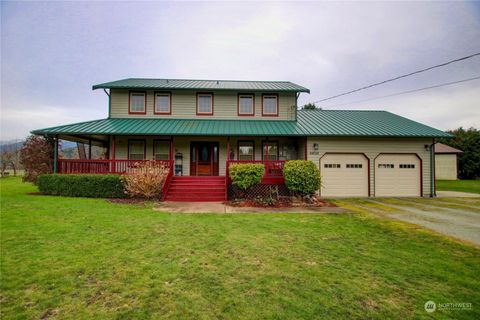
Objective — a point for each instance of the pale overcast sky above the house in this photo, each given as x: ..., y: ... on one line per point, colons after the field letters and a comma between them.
x: 52, y: 53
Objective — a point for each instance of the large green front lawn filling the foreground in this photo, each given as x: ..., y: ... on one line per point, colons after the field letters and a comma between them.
x: 70, y: 258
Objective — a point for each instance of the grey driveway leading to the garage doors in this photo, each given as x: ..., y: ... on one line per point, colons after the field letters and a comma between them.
x: 455, y: 217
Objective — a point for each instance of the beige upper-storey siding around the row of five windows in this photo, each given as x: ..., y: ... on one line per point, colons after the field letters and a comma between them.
x: 184, y: 106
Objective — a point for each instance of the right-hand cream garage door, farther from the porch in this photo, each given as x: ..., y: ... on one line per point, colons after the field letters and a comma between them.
x: 397, y: 175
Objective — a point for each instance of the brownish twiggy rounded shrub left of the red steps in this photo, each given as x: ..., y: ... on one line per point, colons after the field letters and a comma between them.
x: 146, y: 180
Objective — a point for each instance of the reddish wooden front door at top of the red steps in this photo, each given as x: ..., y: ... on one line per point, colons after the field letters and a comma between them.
x: 204, y: 159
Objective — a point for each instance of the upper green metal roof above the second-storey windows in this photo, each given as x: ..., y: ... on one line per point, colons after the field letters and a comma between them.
x: 183, y: 84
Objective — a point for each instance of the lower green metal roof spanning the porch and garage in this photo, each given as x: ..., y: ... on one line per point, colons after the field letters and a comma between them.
x: 346, y: 123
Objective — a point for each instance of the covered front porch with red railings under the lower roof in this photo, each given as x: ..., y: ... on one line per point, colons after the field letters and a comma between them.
x: 186, y: 156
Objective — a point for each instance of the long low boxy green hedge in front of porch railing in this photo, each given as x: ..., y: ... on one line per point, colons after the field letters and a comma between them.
x: 82, y: 185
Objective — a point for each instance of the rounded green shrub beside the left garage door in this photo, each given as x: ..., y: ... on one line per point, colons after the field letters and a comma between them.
x: 302, y: 177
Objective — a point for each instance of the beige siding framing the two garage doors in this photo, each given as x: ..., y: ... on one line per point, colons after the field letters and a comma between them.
x: 372, y: 147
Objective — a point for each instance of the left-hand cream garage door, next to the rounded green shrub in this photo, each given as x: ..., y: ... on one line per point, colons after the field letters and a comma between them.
x: 344, y: 175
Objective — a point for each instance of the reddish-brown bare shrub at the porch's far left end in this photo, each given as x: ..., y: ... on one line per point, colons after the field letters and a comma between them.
x: 36, y: 156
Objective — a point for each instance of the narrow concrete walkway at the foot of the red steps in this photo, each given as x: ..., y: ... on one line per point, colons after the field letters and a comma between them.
x: 220, y: 207
